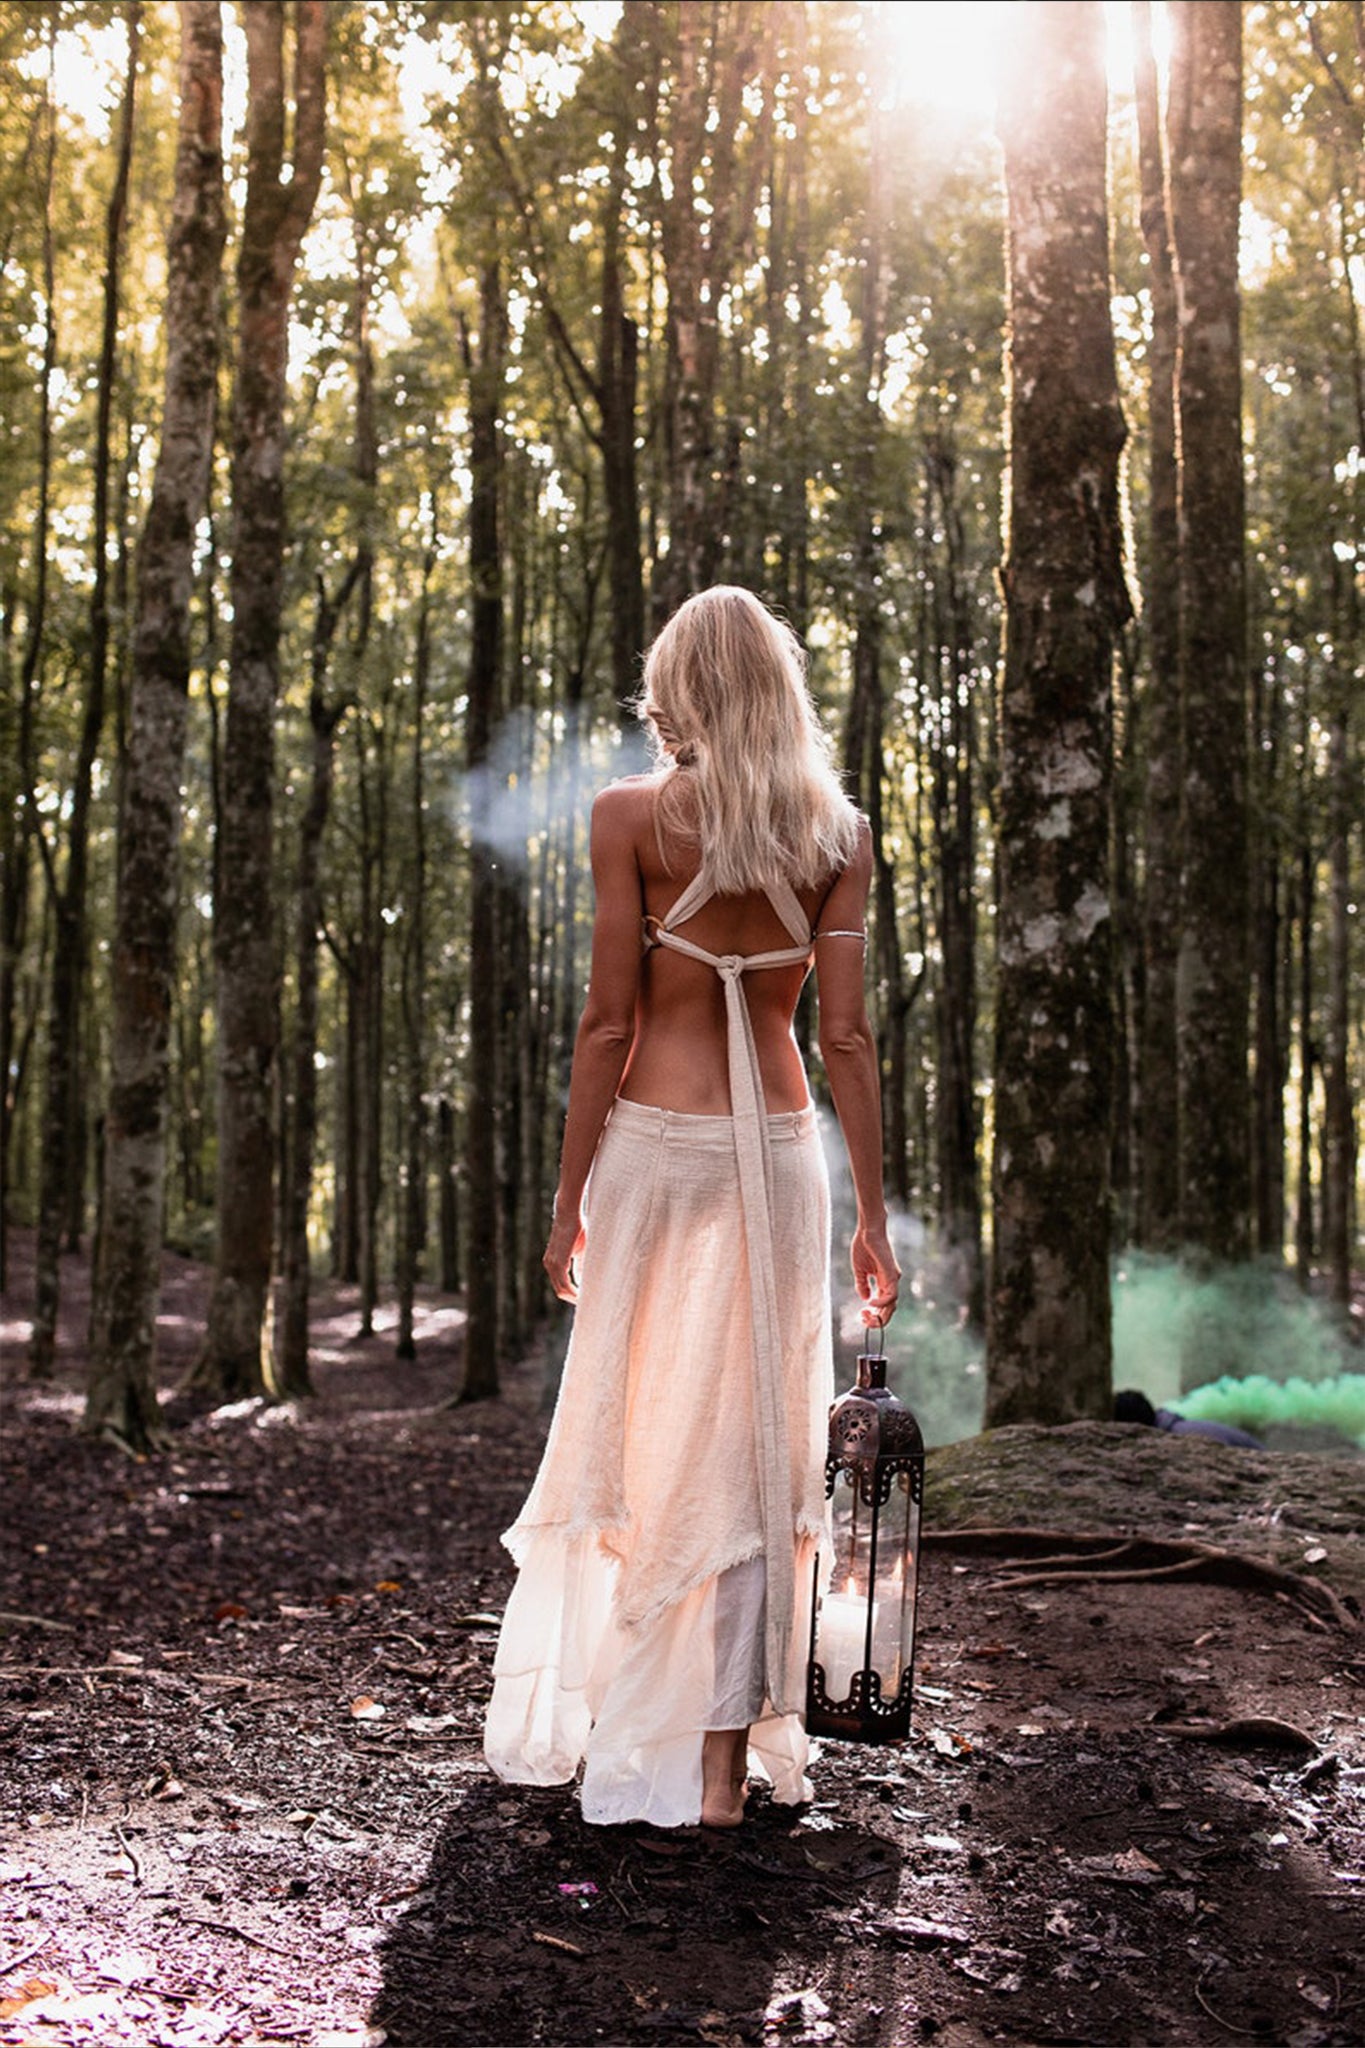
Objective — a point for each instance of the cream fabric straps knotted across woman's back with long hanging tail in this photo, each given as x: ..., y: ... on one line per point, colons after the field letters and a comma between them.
x: 756, y: 1183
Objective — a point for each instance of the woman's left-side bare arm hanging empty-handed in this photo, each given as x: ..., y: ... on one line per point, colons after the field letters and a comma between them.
x: 607, y: 1027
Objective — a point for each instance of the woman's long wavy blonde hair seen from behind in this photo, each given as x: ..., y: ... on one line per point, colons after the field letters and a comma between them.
x: 728, y: 708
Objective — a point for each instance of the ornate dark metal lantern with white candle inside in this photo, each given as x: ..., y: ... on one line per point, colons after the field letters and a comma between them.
x: 863, y: 1629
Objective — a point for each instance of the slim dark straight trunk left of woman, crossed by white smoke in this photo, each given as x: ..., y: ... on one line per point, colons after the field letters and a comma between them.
x: 484, y: 691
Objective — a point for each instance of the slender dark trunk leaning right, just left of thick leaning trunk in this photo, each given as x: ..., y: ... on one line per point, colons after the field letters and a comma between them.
x: 62, y: 1109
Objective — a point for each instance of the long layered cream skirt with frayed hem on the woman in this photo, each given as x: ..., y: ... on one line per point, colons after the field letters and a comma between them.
x: 637, y: 1615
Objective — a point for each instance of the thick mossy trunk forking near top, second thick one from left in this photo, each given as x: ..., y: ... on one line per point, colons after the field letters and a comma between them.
x: 275, y: 216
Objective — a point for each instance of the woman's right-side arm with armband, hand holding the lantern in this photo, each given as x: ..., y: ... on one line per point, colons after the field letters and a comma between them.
x: 848, y: 1052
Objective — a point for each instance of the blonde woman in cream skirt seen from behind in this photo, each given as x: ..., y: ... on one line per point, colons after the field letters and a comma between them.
x: 658, y: 1629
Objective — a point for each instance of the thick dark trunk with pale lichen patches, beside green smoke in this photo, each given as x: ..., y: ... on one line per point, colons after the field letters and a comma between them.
x: 1049, y: 1355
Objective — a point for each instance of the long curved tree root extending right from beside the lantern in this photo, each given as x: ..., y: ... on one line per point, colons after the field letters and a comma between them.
x: 1061, y: 1555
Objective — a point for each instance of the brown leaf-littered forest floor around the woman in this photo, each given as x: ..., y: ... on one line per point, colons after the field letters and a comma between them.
x: 243, y: 1795
